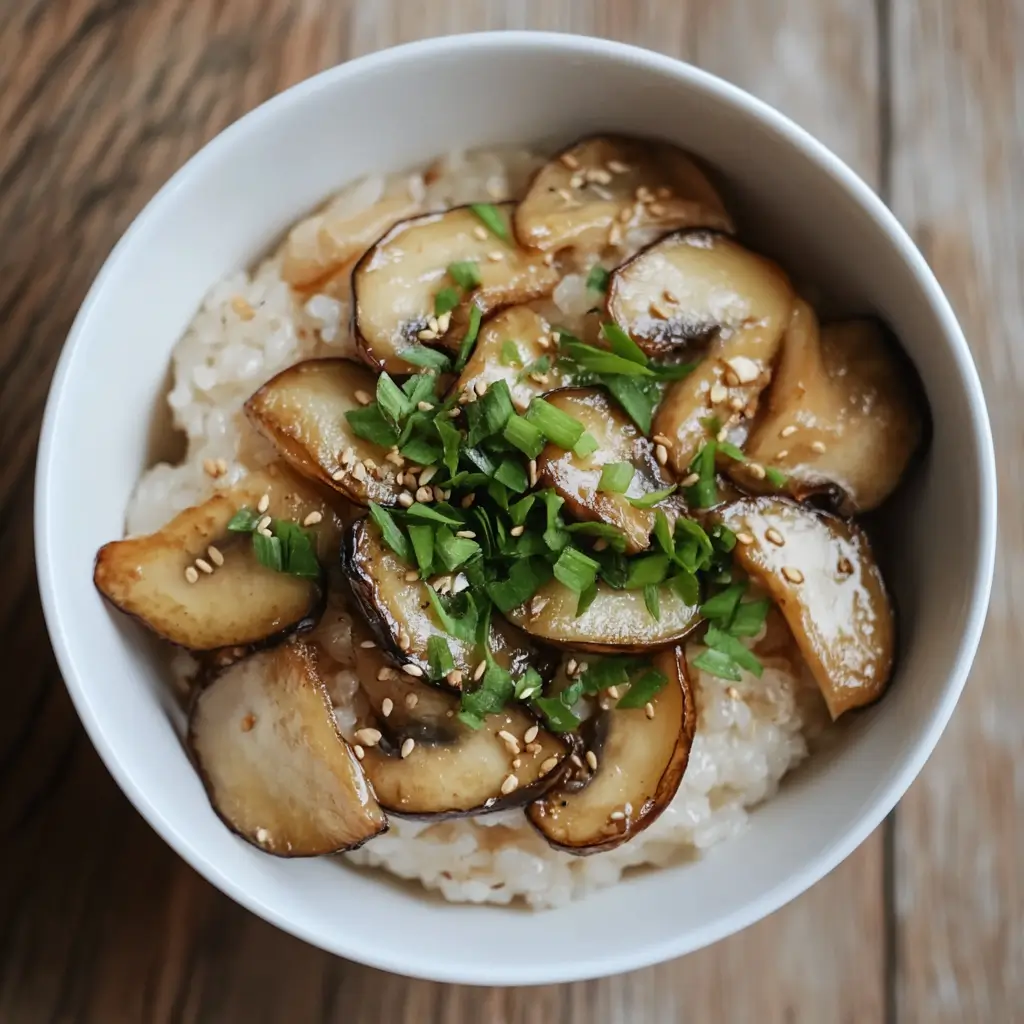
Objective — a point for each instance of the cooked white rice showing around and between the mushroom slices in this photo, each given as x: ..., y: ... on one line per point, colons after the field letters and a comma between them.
x: 251, y: 326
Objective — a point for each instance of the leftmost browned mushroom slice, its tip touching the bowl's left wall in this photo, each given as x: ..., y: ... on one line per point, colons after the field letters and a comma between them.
x: 199, y: 585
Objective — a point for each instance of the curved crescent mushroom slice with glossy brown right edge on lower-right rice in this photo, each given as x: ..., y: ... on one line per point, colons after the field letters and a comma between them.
x: 642, y: 757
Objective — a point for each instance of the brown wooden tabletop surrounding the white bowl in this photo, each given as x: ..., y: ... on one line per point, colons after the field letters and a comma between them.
x: 100, y: 102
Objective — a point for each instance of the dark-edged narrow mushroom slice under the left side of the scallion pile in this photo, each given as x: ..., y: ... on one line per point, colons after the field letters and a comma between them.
x: 398, y: 608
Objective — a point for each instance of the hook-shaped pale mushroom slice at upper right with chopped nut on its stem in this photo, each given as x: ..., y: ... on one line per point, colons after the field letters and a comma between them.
x: 707, y: 296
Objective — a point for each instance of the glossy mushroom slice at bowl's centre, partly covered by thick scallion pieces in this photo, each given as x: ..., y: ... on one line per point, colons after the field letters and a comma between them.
x: 578, y: 479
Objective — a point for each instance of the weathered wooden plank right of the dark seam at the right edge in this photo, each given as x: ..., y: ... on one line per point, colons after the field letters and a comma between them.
x: 958, y: 176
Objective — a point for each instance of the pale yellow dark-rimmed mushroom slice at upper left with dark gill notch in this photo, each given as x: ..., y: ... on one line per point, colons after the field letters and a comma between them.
x: 397, y: 283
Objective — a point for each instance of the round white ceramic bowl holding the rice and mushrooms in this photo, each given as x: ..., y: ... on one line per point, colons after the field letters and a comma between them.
x: 398, y: 108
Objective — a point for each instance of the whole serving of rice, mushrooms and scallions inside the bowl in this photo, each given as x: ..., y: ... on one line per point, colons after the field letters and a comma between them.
x: 611, y: 588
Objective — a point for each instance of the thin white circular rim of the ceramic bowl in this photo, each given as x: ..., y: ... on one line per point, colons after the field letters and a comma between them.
x: 801, y: 878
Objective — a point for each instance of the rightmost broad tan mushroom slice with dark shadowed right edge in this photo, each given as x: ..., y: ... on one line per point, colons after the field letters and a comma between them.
x: 843, y: 416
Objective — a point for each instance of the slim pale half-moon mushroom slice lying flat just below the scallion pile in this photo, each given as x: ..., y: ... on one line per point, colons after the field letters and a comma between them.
x: 616, y: 621
